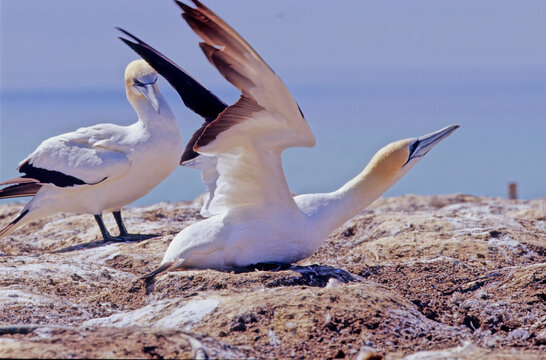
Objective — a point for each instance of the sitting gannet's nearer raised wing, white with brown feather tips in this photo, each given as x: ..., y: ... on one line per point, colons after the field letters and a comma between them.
x: 248, y: 137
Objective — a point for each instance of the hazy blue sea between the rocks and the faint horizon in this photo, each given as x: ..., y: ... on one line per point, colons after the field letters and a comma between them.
x: 502, y: 138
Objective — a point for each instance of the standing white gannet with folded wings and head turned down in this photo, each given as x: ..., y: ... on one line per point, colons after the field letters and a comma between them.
x: 102, y: 167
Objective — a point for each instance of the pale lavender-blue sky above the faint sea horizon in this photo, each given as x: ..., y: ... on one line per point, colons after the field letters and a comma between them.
x: 67, y: 43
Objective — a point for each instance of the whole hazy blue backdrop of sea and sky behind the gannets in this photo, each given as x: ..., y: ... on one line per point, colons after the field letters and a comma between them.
x: 365, y: 73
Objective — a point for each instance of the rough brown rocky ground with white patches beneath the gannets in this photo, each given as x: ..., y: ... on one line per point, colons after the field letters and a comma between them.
x: 411, y: 277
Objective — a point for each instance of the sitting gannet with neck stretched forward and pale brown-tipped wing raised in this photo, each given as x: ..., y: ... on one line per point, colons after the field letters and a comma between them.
x: 252, y: 216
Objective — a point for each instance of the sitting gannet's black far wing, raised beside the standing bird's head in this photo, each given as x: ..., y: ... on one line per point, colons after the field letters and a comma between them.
x: 194, y: 95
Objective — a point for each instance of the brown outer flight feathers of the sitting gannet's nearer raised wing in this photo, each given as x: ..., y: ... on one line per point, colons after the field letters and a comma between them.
x: 243, y: 67
